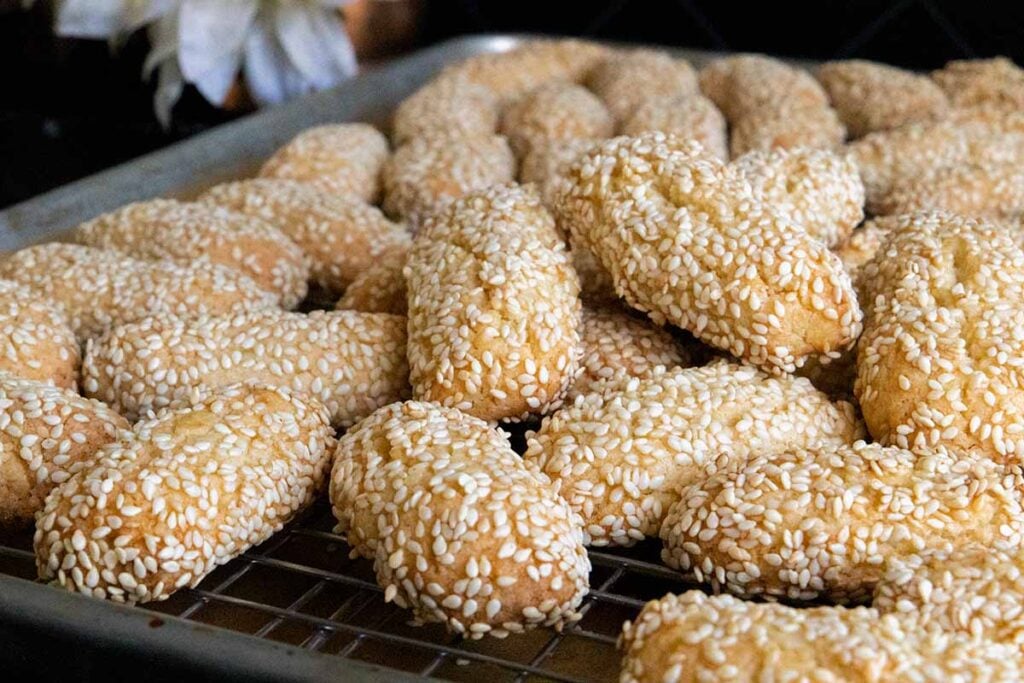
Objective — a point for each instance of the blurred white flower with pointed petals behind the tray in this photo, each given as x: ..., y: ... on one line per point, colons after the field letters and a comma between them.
x: 283, y: 48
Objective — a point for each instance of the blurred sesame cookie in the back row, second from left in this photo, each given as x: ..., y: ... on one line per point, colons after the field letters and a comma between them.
x: 626, y: 79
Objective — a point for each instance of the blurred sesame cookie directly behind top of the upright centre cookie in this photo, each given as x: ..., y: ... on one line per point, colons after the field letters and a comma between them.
x: 429, y: 173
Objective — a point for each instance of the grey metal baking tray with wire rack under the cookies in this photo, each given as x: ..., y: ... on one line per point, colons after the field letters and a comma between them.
x: 307, y: 611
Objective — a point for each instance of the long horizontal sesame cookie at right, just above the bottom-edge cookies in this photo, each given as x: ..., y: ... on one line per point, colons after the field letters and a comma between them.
x: 824, y: 523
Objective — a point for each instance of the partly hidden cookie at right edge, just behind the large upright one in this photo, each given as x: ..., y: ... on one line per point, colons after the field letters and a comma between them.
x: 985, y: 190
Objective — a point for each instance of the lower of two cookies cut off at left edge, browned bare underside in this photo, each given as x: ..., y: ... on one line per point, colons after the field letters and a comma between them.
x: 49, y: 435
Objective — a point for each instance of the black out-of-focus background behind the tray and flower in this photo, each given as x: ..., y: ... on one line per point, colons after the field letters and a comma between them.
x: 70, y: 108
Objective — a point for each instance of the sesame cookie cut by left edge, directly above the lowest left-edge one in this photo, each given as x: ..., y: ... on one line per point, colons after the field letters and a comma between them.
x: 36, y: 341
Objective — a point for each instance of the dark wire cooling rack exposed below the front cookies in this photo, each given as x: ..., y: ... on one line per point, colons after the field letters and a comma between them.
x: 301, y: 588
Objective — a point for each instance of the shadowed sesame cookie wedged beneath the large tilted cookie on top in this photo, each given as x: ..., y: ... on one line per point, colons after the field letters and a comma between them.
x: 617, y: 347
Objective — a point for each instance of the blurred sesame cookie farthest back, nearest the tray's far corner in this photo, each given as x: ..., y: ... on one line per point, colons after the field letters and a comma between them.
x: 510, y: 75
